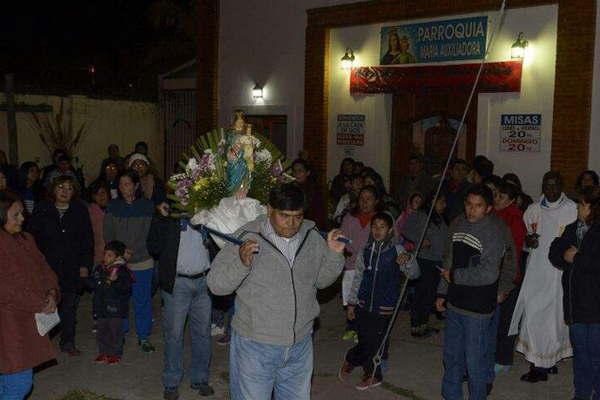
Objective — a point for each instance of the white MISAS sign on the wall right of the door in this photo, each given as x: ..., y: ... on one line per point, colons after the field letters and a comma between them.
x: 521, y: 133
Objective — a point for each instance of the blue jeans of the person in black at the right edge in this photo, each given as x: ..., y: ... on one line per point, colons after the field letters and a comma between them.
x: 585, y: 339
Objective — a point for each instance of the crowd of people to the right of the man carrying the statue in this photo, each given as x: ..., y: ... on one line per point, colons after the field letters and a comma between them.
x: 491, y: 260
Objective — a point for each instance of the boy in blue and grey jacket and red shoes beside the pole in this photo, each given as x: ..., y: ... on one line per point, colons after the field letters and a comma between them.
x: 373, y: 296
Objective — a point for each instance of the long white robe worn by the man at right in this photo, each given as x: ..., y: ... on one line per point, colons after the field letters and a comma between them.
x: 538, y: 317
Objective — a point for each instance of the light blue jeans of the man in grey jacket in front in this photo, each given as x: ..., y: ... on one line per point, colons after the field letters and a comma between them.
x: 259, y: 370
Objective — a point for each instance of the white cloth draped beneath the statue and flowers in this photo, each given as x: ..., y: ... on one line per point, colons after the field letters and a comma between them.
x: 229, y: 216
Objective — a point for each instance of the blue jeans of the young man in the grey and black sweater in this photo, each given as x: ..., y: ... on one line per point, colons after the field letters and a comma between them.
x: 465, y: 350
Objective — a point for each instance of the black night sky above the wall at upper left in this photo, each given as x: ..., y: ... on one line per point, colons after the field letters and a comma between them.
x: 50, y: 45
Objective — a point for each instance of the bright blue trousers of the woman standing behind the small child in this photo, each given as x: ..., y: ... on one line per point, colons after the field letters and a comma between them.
x: 141, y: 293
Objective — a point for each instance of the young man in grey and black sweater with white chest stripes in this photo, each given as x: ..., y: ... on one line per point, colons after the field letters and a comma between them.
x: 469, y: 289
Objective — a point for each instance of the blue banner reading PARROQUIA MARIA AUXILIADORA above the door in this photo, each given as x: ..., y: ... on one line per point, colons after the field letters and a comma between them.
x: 437, y: 41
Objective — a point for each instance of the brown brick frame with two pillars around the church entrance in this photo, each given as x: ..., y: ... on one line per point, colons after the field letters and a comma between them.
x: 574, y: 69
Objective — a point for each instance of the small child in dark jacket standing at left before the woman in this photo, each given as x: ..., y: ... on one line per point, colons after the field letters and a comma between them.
x: 111, y: 282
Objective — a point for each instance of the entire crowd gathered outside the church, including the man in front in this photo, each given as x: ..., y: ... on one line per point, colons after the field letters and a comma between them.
x: 500, y: 271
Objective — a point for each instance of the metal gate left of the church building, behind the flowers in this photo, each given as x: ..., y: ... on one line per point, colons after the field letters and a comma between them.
x: 178, y: 109
